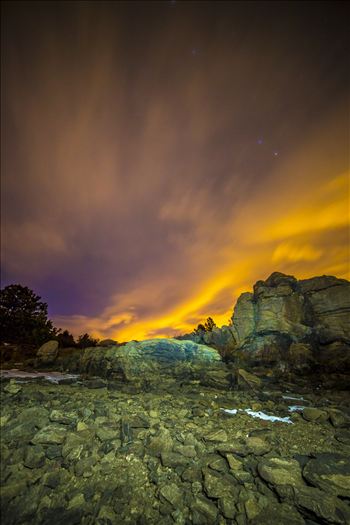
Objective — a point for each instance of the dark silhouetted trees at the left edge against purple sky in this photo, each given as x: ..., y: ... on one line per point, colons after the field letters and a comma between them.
x: 24, y: 320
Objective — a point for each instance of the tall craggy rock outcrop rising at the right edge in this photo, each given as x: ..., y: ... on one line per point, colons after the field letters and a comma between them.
x: 283, y: 312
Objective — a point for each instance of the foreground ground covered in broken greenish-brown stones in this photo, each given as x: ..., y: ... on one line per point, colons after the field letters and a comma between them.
x: 93, y: 451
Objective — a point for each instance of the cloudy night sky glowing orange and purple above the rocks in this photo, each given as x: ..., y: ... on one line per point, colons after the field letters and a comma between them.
x: 160, y: 157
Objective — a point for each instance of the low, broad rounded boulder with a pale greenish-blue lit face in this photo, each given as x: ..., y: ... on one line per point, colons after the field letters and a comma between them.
x: 154, y: 361
